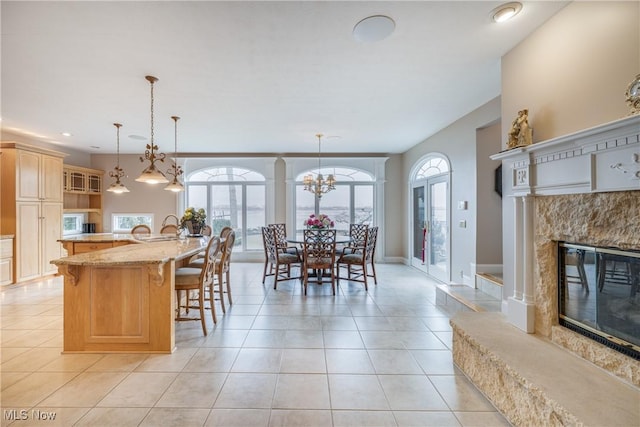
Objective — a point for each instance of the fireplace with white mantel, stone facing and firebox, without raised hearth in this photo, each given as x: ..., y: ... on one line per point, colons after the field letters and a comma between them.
x: 581, y: 188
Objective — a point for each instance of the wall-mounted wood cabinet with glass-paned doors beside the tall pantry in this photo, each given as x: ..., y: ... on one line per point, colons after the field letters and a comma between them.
x: 83, y: 193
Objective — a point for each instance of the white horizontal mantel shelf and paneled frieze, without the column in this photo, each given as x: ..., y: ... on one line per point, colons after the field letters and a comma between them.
x: 601, y: 158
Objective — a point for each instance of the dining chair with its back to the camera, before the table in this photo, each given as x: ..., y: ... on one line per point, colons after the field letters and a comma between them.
x: 319, y: 255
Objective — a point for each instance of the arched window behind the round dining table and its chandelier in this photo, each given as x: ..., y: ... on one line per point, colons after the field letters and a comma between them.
x: 350, y: 202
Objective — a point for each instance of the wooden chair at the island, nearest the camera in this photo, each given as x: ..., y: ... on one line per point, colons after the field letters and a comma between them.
x: 188, y: 279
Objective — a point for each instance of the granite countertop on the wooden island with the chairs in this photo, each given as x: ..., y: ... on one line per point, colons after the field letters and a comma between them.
x: 151, y: 252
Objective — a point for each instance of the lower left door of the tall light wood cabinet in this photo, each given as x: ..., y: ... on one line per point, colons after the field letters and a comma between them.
x: 27, y: 237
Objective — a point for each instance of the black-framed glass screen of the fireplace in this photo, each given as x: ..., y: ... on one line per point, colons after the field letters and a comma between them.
x: 599, y: 294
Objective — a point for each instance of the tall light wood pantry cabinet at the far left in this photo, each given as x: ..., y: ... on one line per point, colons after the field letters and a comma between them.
x: 31, y: 207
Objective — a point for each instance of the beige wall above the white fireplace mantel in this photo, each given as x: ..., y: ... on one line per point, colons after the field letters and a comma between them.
x: 573, y: 71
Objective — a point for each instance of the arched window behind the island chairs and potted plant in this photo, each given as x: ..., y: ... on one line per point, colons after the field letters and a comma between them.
x: 231, y: 196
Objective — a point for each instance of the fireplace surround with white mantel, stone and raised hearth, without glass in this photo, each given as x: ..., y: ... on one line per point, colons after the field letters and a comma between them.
x: 583, y: 188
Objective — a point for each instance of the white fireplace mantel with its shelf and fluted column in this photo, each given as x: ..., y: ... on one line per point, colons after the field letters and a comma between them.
x: 601, y: 159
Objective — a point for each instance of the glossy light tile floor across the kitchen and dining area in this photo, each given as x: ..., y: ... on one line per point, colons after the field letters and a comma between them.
x: 276, y: 358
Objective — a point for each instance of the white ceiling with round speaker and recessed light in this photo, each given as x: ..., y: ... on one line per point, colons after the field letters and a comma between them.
x: 260, y: 77
